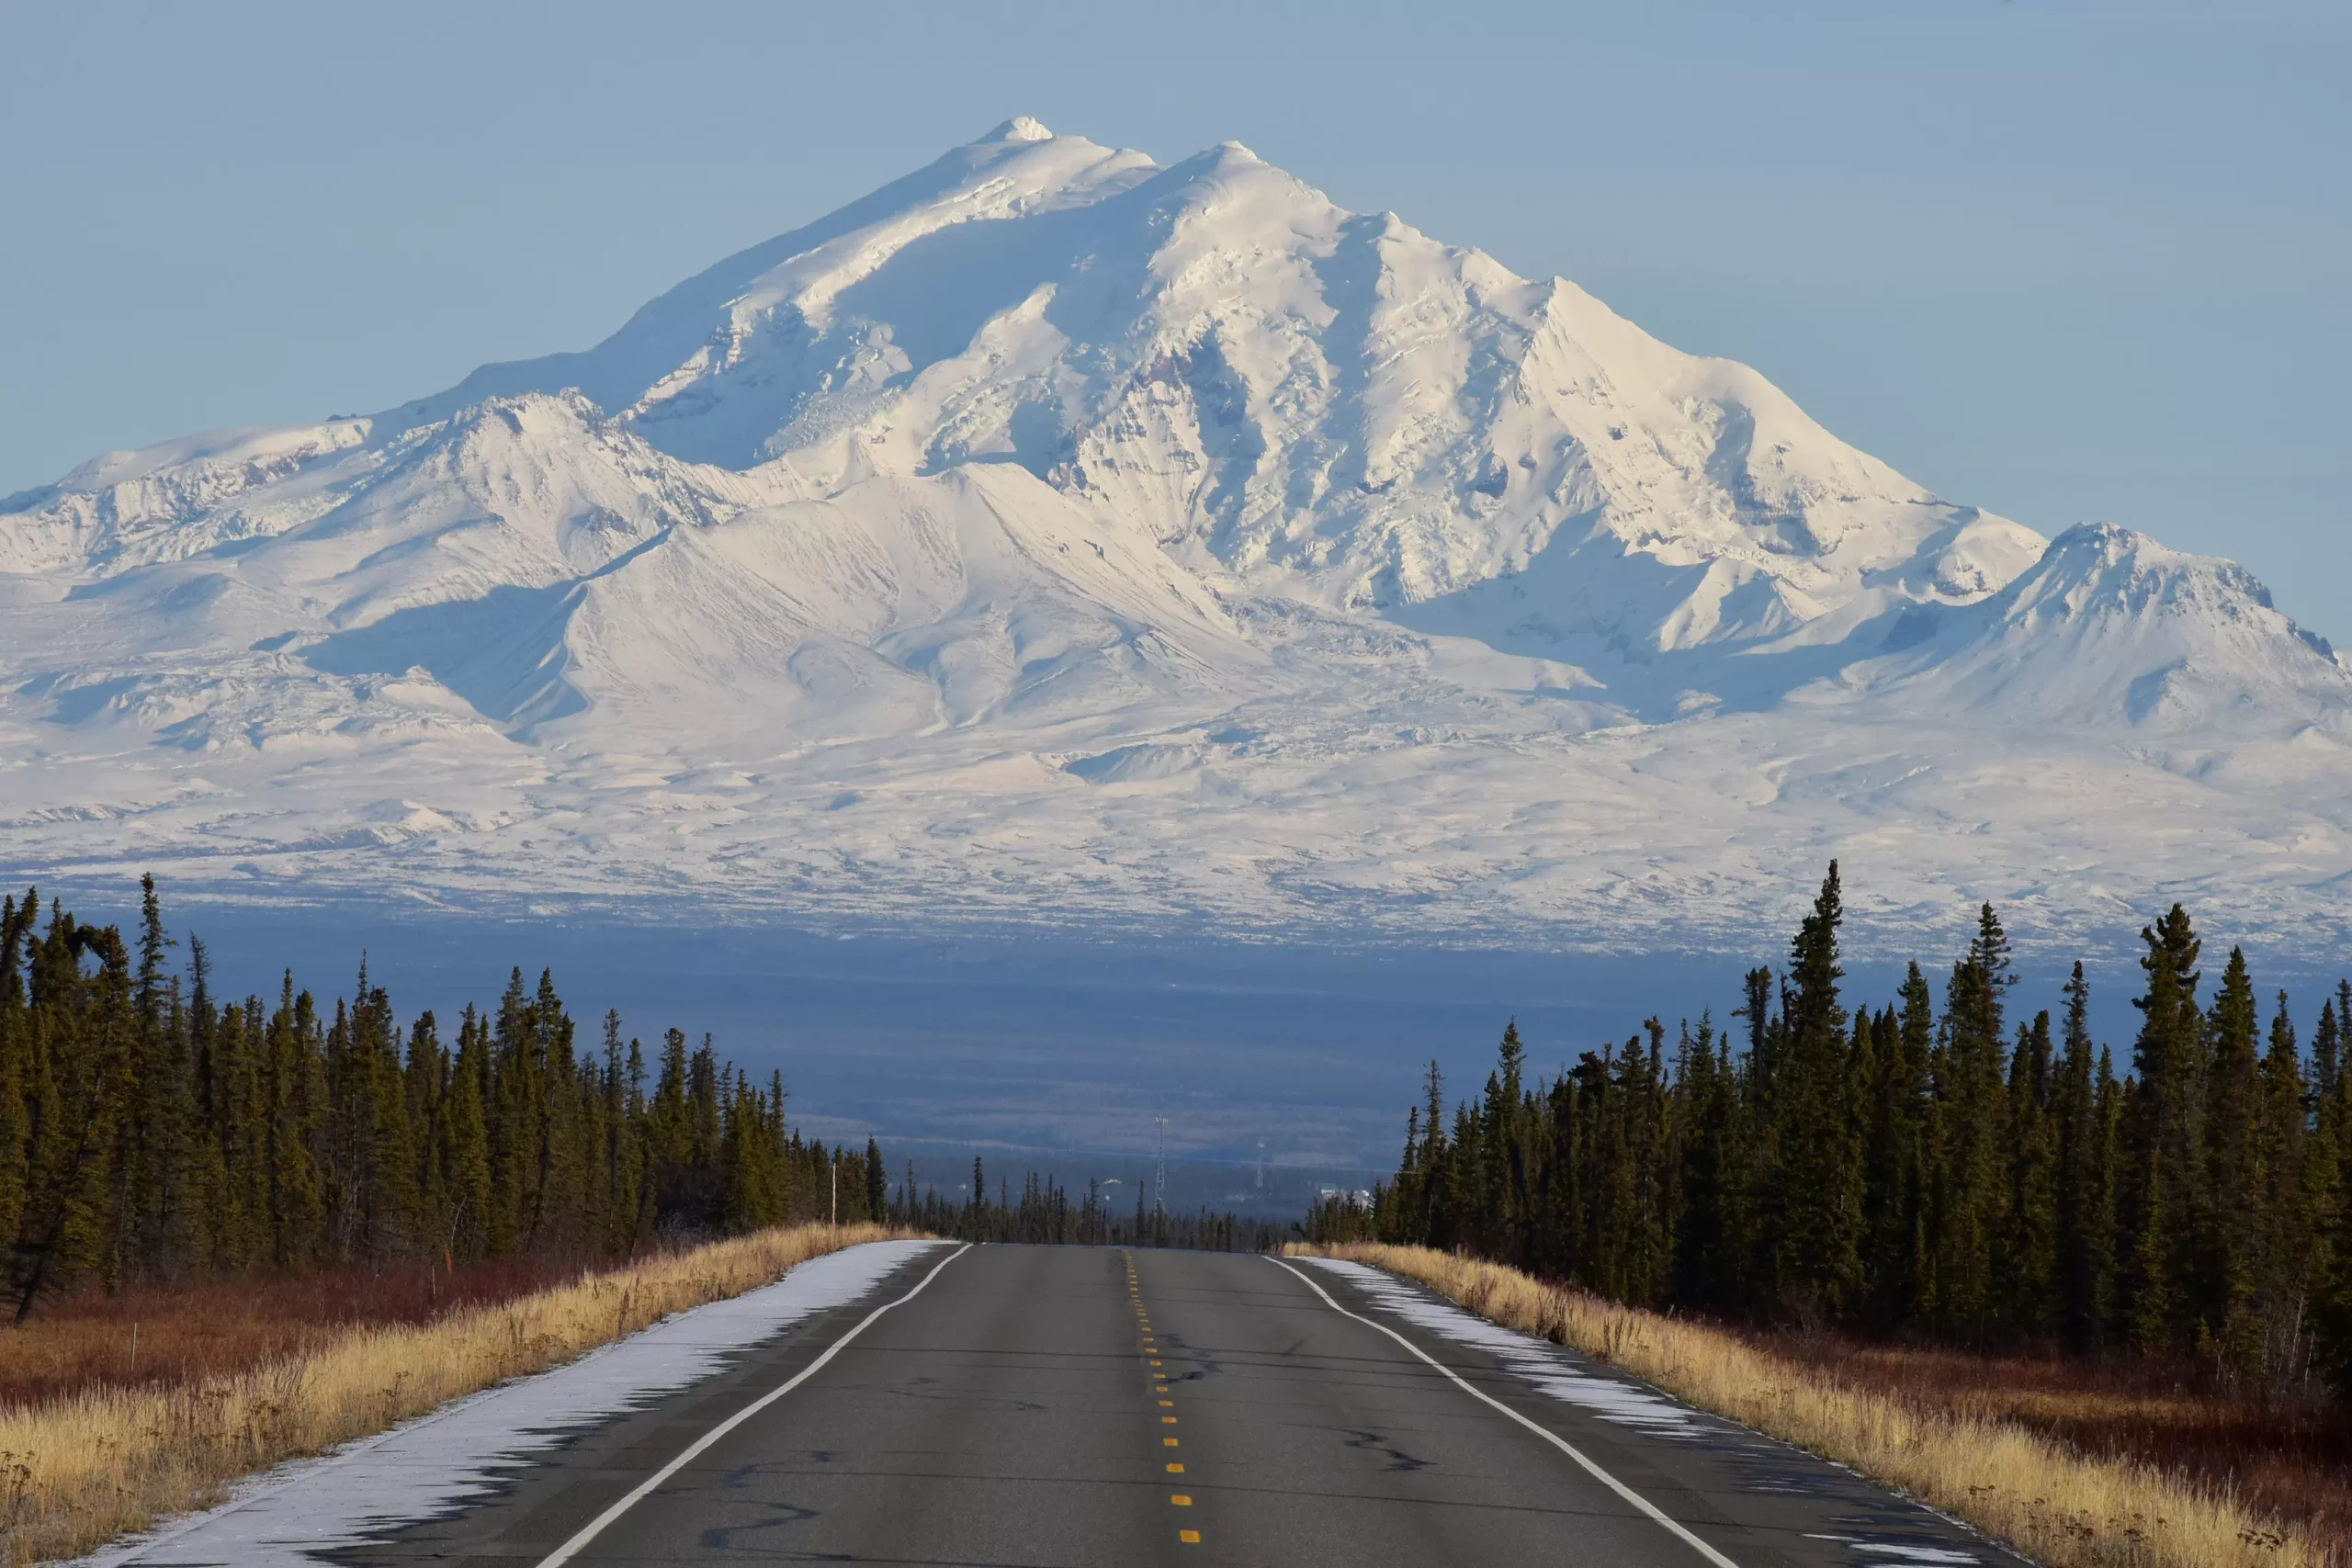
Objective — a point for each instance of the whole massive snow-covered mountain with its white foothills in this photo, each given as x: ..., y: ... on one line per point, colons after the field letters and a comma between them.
x: 1057, y: 535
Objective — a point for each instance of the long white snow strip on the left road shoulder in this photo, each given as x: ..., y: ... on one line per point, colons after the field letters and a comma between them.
x: 439, y: 1463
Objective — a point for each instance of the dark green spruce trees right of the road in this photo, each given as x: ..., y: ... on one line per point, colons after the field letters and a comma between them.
x: 1932, y: 1170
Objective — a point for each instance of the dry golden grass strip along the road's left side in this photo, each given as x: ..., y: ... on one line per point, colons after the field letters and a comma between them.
x: 81, y: 1470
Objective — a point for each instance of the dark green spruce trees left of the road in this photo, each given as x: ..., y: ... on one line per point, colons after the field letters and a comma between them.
x: 159, y: 1132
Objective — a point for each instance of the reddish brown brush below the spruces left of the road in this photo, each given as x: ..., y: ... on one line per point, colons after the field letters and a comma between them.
x: 154, y: 1336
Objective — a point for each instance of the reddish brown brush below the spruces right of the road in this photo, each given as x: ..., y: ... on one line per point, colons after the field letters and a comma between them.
x: 2285, y: 1454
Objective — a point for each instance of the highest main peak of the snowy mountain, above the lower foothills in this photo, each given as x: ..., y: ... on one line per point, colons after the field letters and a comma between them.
x: 1276, y: 389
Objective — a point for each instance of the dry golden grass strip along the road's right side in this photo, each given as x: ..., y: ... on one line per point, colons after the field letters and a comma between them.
x: 2014, y: 1485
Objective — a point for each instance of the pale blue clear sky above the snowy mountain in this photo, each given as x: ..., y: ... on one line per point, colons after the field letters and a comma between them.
x: 2054, y: 260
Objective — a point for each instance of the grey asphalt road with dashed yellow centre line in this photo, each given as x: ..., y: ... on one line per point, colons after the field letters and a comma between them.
x: 1076, y: 1407
